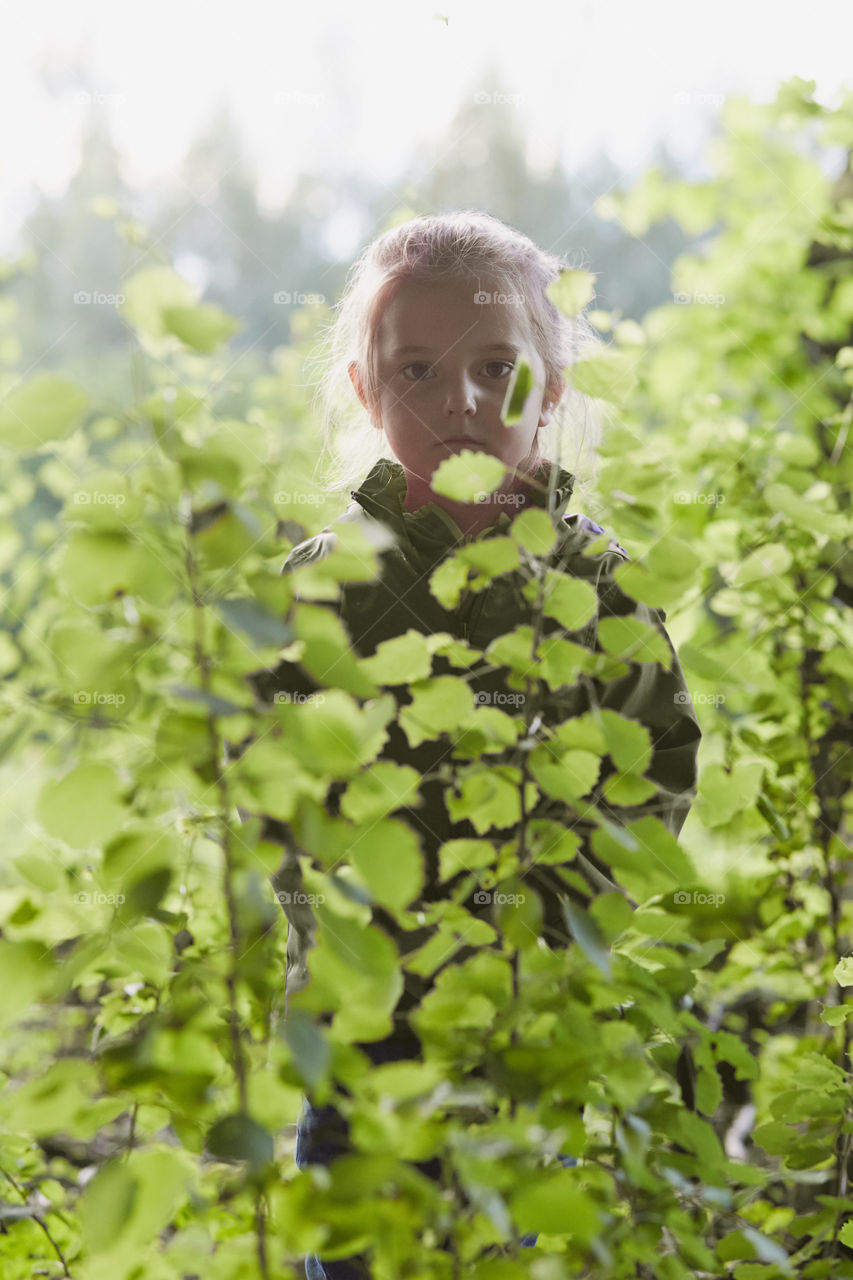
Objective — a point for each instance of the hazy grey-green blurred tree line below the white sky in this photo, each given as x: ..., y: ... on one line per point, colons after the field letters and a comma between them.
x: 212, y: 226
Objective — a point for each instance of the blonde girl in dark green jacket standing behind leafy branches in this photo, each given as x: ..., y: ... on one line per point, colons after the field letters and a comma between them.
x: 436, y: 316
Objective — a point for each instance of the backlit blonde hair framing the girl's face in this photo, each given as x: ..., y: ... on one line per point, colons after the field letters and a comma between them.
x: 455, y: 244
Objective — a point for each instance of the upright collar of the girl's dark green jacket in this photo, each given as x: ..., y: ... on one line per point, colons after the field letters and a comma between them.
x: 432, y: 529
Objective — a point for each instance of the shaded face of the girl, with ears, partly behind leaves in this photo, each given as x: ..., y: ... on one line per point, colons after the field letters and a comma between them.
x: 444, y: 359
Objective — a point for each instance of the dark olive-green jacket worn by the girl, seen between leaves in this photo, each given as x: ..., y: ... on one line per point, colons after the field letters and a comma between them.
x: 400, y: 600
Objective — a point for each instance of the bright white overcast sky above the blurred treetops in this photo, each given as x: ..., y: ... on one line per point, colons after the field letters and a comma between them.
x: 589, y: 75
